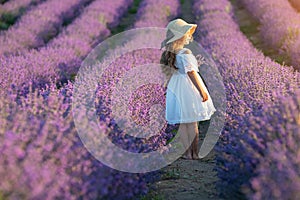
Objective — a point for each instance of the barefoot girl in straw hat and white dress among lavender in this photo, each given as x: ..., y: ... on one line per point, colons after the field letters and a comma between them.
x: 187, y: 98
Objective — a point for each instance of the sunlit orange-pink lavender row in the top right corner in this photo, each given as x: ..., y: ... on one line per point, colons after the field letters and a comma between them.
x: 280, y: 26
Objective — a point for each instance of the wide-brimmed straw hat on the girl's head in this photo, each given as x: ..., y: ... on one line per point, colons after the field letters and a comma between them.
x: 176, y: 30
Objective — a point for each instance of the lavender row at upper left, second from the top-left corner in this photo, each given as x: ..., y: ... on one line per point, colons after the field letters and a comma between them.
x: 36, y: 27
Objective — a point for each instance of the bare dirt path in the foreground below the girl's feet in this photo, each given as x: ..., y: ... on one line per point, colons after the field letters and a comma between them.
x: 186, y: 180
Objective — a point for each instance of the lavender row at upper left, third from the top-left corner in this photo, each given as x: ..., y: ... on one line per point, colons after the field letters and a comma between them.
x: 64, y: 51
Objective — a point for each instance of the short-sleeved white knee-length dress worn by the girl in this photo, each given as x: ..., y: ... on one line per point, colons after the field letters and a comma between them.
x: 183, y: 100
